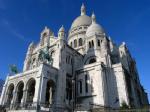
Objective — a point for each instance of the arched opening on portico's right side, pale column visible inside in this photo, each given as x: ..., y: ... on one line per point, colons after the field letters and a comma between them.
x: 50, y: 91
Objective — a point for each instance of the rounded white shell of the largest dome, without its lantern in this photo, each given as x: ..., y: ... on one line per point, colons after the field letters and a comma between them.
x: 81, y: 20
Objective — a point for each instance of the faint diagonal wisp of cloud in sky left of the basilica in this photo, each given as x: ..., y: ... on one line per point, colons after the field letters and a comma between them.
x: 12, y: 30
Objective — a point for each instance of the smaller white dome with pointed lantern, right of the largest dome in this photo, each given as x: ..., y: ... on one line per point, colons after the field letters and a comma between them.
x: 94, y: 28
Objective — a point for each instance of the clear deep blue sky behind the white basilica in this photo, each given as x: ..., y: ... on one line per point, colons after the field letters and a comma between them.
x: 21, y: 22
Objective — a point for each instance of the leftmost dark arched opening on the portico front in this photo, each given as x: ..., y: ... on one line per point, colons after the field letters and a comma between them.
x: 10, y: 93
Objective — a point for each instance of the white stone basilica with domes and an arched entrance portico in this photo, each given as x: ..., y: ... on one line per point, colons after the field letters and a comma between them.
x: 81, y: 69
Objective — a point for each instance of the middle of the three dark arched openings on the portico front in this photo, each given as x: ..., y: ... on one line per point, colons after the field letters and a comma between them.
x: 19, y: 92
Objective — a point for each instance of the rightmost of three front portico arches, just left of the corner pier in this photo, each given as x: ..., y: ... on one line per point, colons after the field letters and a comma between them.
x: 30, y: 90
